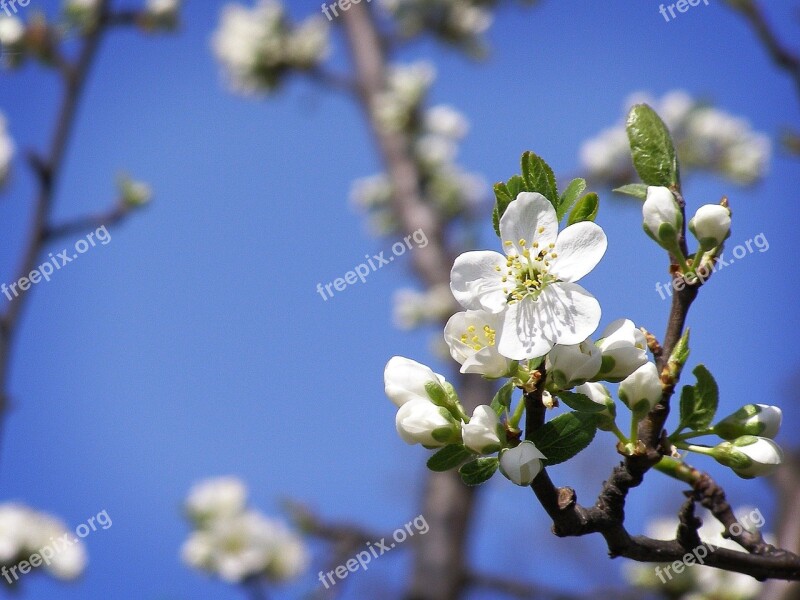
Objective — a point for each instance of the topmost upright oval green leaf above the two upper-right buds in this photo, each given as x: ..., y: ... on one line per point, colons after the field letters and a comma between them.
x: 651, y: 147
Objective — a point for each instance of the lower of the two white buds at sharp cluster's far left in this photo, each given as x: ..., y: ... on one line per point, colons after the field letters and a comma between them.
x: 422, y: 422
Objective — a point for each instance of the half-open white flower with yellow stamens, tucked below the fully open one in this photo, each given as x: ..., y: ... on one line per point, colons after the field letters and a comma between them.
x: 472, y: 339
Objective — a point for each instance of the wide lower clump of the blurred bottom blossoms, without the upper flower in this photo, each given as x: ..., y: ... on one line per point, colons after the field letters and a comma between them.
x: 246, y: 545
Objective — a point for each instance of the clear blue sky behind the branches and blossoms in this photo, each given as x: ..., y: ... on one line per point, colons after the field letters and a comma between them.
x: 194, y: 344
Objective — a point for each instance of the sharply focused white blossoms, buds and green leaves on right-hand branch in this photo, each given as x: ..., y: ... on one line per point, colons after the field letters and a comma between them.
x: 528, y: 321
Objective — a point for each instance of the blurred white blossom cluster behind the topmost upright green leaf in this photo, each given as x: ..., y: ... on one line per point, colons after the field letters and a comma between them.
x: 706, y: 138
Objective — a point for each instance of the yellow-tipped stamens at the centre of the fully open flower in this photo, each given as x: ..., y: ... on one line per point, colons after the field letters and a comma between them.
x: 527, y: 275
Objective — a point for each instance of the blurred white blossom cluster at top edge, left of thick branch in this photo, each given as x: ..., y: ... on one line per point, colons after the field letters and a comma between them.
x: 259, y: 46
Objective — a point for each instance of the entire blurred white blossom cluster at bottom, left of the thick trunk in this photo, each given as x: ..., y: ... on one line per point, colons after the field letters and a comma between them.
x: 237, y: 543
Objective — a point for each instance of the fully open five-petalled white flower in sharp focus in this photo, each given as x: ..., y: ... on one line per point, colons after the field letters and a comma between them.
x: 533, y: 285
